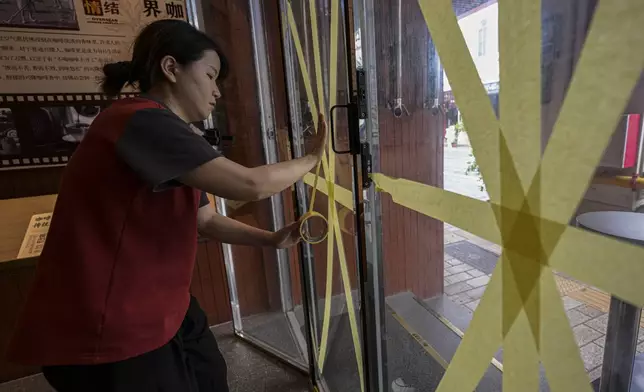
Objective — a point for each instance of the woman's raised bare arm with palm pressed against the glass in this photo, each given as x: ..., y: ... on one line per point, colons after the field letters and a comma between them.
x: 227, y: 179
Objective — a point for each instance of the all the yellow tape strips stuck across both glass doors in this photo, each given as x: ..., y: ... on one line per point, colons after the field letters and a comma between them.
x: 532, y: 197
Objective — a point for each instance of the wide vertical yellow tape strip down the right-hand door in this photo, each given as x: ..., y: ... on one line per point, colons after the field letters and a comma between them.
x: 520, y: 103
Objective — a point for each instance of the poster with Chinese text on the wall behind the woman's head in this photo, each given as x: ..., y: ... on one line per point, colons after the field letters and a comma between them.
x: 60, y: 46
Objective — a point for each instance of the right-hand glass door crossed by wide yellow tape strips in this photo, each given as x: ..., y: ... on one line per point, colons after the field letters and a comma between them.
x: 486, y: 143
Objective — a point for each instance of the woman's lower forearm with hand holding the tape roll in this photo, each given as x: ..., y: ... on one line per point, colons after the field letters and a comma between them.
x: 221, y: 228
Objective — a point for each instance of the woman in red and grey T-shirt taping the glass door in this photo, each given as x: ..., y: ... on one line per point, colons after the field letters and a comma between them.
x: 110, y: 308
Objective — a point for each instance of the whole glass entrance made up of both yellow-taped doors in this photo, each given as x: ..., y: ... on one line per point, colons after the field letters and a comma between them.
x: 476, y: 134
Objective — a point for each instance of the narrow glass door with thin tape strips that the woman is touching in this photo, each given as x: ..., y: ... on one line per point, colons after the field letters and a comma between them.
x: 319, y: 58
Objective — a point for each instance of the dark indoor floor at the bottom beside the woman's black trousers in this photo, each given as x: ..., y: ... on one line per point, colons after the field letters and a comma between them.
x: 248, y: 370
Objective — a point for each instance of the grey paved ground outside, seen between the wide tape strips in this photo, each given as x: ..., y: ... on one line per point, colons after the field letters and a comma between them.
x: 586, y: 307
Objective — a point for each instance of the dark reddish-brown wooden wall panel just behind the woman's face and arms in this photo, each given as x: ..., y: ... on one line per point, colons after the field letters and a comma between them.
x: 228, y: 23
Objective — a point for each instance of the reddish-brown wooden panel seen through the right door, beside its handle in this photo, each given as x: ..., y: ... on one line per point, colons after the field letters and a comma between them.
x: 412, y: 148
